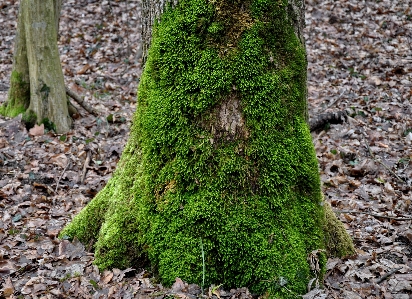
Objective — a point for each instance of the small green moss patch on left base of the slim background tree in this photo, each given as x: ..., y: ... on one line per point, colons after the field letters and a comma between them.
x: 18, y: 97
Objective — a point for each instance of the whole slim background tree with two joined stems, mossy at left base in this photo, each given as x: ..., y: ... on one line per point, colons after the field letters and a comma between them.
x: 37, y: 83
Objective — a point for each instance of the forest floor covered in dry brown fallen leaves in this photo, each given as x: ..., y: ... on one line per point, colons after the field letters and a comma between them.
x: 360, y: 61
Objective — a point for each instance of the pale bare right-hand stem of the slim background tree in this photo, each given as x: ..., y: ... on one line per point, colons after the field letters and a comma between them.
x: 48, y: 93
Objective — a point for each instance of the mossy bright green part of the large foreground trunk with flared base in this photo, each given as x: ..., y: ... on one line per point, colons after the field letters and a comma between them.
x: 220, y: 160
